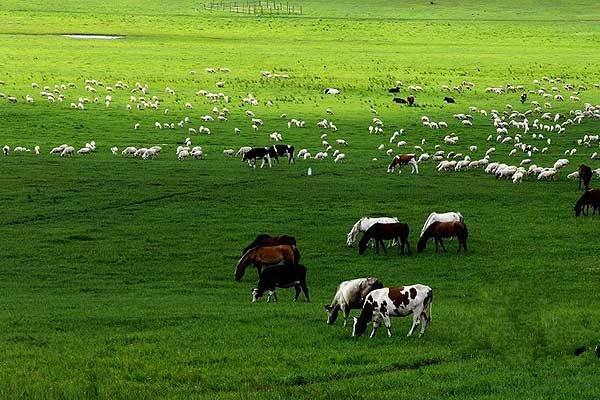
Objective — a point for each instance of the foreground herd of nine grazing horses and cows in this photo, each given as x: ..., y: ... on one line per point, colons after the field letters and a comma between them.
x: 277, y: 260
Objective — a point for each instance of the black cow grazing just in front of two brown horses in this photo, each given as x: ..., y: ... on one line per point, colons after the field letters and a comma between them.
x: 281, y: 276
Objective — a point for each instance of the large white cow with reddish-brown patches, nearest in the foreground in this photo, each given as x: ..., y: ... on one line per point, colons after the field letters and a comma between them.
x: 381, y: 304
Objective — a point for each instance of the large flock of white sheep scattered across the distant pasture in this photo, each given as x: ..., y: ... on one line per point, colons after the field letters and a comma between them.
x: 521, y: 134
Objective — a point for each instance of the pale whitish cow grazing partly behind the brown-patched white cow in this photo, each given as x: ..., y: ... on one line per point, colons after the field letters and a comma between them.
x: 350, y: 295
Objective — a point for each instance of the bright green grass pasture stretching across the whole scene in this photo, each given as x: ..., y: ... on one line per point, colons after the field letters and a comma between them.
x: 117, y: 273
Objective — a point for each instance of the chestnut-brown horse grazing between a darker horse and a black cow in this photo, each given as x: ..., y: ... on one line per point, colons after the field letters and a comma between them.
x: 264, y: 256
